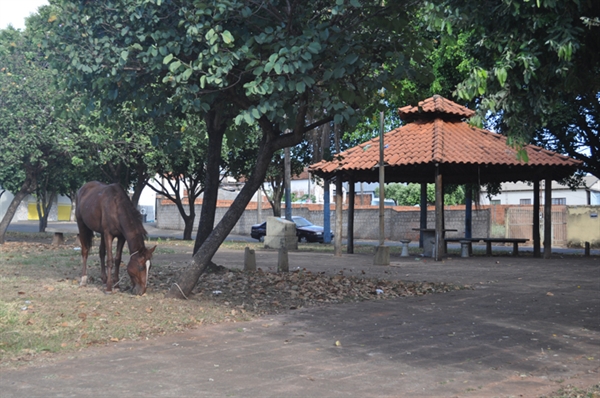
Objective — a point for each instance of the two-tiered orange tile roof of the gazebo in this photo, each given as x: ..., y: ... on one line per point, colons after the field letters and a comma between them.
x: 438, y: 136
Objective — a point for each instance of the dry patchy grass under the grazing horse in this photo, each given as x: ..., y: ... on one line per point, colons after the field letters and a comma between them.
x: 43, y: 309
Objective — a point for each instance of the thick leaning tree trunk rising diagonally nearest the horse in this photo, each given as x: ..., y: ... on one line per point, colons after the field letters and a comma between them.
x: 189, y: 276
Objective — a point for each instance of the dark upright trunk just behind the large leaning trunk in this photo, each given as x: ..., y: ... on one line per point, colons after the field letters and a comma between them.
x: 216, y: 130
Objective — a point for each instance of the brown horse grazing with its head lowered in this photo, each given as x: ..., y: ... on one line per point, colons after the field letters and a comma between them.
x: 107, y: 209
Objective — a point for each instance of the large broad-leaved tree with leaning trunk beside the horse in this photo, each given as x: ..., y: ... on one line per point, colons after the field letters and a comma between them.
x: 254, y: 62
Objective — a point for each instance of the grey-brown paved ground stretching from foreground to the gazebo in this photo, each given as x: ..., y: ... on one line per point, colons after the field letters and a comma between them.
x: 528, y: 327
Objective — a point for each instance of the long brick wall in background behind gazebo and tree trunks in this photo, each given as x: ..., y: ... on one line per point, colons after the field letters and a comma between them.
x: 399, y: 220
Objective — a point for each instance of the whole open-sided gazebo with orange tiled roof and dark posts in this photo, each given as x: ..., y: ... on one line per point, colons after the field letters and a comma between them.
x: 436, y: 145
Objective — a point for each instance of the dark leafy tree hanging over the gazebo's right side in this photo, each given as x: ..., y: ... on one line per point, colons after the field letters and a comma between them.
x: 536, y: 67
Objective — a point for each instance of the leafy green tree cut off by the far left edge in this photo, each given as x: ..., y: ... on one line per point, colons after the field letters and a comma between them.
x: 33, y: 139
